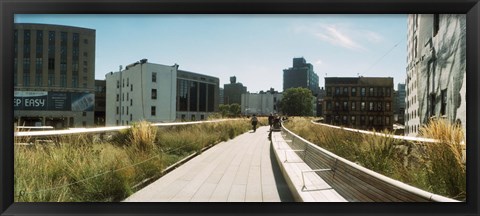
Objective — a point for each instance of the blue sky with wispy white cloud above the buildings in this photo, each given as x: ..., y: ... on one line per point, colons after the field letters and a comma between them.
x: 254, y: 48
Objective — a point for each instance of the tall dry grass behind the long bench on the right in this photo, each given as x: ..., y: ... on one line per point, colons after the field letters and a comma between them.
x: 438, y: 168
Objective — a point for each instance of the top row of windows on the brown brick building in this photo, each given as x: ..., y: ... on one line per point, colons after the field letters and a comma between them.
x: 352, y: 91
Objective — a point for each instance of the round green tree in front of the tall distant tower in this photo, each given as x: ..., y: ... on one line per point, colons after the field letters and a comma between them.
x: 297, y: 102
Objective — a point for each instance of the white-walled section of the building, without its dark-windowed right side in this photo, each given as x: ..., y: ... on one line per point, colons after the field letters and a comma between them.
x: 143, y: 91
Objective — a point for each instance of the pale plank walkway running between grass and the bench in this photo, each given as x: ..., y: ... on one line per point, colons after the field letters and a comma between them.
x: 240, y: 170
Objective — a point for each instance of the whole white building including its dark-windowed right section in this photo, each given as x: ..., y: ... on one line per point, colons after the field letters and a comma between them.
x: 159, y: 93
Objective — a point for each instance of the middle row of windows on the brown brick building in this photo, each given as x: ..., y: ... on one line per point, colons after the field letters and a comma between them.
x: 363, y: 106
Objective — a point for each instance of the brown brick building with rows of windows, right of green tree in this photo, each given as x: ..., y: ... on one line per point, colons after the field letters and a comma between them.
x: 359, y: 102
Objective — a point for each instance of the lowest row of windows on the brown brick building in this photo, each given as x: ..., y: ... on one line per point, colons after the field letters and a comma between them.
x: 361, y: 120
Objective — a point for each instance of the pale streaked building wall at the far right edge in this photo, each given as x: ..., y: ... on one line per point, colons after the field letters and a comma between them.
x: 442, y: 70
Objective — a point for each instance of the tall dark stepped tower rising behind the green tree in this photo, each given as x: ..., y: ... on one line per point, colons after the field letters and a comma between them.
x: 301, y: 75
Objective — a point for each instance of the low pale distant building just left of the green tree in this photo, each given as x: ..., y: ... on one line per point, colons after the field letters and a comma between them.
x: 260, y: 103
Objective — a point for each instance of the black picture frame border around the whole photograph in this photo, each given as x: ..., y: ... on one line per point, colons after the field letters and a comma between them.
x: 10, y: 7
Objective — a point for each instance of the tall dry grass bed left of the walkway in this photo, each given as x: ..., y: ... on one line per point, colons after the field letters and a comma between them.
x: 83, y: 168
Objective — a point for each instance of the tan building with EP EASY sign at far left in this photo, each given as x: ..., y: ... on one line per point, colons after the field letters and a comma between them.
x: 54, y: 72
